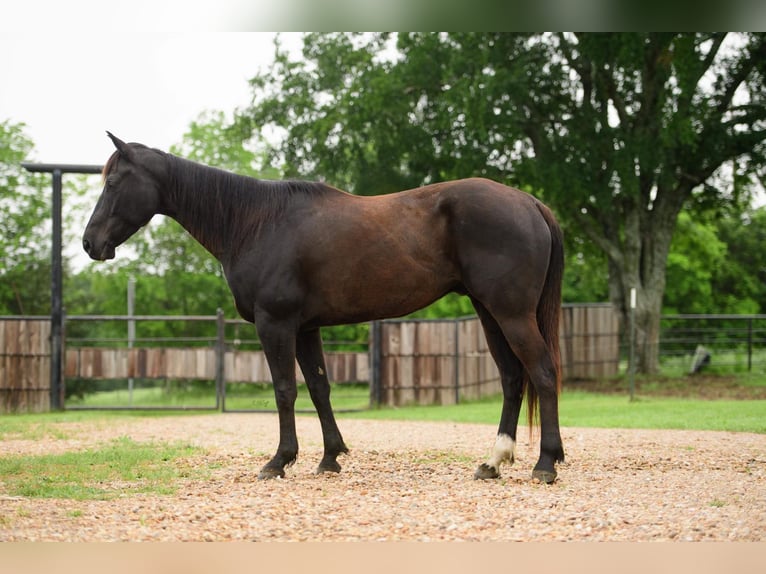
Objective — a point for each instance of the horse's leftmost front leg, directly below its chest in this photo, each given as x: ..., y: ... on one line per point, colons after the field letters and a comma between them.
x: 279, y: 341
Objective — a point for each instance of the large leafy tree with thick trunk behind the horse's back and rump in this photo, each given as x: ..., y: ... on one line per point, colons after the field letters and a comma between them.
x: 618, y: 132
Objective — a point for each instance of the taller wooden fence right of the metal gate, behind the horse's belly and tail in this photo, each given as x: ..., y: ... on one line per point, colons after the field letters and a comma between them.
x: 443, y: 362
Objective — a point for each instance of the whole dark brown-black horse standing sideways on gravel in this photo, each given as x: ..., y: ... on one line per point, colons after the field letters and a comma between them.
x: 300, y: 255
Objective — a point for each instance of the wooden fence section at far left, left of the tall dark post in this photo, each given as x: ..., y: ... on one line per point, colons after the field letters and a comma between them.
x: 25, y: 365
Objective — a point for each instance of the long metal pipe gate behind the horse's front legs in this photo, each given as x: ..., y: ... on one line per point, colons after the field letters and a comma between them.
x: 210, y: 363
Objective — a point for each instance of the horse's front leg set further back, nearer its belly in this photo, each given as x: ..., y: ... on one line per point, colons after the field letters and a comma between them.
x: 312, y: 363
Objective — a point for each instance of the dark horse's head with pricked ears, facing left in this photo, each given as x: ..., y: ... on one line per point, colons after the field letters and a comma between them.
x: 133, y: 182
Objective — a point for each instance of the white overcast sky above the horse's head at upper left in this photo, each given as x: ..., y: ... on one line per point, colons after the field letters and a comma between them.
x: 69, y: 88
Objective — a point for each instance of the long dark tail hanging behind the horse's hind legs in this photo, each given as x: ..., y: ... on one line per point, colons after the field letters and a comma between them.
x: 549, y: 310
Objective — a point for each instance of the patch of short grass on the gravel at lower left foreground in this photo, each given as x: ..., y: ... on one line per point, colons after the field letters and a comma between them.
x: 120, y: 467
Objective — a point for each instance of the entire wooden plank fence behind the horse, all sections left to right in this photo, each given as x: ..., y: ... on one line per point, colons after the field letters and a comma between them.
x: 426, y: 362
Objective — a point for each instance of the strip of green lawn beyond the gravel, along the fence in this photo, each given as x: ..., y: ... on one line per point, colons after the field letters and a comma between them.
x: 578, y: 408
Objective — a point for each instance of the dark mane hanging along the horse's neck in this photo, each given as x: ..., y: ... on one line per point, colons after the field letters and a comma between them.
x: 224, y: 210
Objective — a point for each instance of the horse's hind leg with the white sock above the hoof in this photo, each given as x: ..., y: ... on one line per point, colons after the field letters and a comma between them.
x: 512, y: 381
